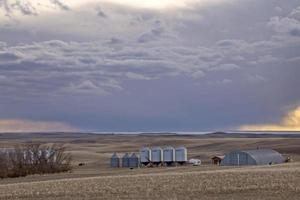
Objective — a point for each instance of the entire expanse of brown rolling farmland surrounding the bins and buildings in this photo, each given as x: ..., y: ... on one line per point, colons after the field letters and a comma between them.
x: 96, y: 180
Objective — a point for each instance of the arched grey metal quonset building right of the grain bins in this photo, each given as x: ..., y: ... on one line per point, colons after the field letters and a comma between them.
x: 252, y: 157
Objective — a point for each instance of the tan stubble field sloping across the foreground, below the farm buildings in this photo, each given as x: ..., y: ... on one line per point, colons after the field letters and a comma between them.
x: 277, y: 182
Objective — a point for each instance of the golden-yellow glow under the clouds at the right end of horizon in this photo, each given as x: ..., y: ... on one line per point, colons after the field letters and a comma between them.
x: 291, y: 122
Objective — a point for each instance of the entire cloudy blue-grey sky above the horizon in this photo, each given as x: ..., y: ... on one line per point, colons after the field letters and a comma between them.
x: 152, y: 65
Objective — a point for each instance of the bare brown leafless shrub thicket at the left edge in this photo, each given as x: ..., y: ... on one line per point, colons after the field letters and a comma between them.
x: 34, y: 159
